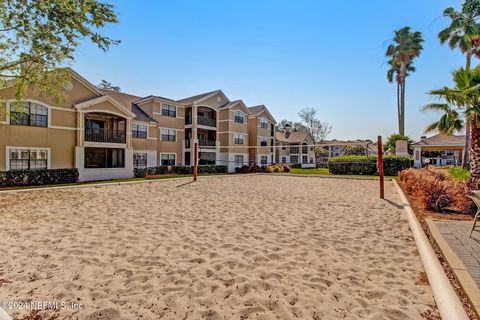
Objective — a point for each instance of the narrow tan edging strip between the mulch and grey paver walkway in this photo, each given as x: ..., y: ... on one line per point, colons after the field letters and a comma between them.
x: 466, y: 282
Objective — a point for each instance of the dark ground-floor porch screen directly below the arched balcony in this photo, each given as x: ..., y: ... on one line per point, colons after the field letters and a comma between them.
x: 104, y: 158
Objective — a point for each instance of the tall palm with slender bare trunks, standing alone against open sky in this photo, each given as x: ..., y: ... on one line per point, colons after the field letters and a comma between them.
x: 406, y: 46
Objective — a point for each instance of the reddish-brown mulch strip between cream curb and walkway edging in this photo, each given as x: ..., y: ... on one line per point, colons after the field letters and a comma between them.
x: 422, y: 214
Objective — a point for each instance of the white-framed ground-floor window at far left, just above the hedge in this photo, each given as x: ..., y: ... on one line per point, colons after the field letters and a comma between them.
x: 28, y: 159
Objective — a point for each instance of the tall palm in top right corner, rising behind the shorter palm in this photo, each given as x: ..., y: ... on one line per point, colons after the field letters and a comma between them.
x: 463, y: 33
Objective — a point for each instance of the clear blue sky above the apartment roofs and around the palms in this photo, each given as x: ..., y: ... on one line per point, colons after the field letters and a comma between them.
x: 286, y: 54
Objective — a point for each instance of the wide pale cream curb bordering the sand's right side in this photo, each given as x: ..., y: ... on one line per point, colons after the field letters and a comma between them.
x: 448, y: 303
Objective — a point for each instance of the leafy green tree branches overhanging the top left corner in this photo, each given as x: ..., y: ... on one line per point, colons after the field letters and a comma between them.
x: 38, y: 37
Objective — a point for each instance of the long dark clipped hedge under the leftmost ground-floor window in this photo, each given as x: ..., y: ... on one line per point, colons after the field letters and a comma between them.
x: 15, y: 178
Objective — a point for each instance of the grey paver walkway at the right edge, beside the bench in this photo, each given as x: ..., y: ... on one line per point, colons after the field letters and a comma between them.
x: 456, y: 234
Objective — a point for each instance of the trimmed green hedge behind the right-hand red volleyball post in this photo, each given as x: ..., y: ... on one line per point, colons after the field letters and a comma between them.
x: 363, y: 165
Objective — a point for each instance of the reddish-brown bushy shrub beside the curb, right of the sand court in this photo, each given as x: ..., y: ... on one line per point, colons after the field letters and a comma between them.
x: 438, y: 190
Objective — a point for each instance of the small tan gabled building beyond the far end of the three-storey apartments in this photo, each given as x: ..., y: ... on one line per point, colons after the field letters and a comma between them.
x: 295, y: 148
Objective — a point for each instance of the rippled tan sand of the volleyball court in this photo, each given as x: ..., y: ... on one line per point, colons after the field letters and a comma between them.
x: 232, y: 247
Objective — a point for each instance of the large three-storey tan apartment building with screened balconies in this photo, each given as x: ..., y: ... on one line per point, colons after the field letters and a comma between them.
x: 105, y: 134
